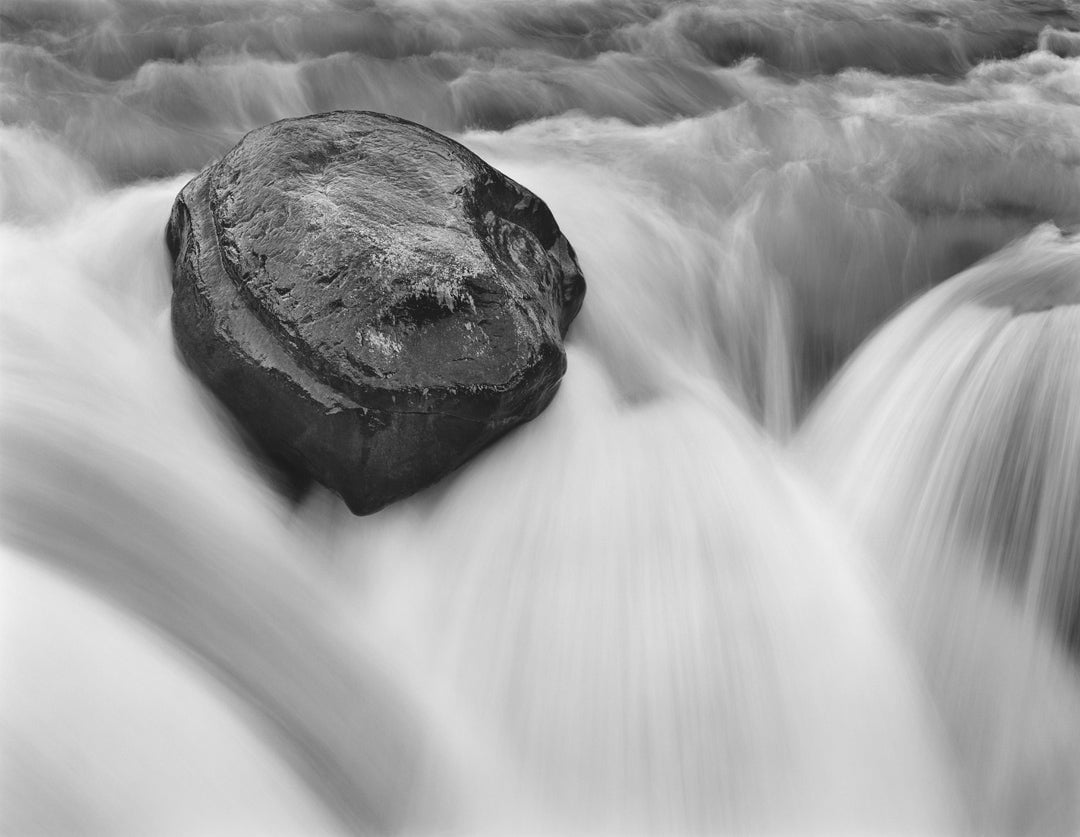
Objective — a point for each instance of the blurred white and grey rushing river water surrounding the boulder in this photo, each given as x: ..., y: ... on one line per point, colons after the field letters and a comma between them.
x: 785, y: 556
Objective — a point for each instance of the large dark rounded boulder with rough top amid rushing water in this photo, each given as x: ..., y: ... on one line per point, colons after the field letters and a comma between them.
x: 373, y: 302
